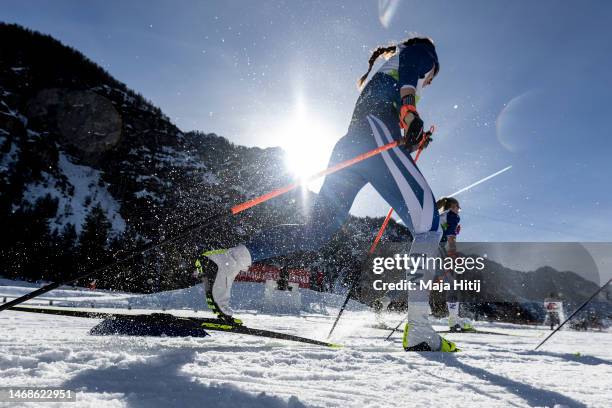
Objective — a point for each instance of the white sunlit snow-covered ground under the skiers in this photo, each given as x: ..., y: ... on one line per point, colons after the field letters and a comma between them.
x: 229, y: 370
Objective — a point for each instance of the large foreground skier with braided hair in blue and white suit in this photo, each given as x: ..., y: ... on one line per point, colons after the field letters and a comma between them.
x: 385, y: 111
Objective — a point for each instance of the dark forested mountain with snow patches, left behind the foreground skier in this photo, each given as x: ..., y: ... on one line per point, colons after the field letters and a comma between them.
x: 88, y: 166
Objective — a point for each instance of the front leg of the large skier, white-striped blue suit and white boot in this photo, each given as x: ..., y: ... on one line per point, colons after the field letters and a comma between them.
x: 395, y: 176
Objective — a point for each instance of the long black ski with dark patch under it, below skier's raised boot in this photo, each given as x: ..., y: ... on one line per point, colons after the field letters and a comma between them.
x: 157, y: 324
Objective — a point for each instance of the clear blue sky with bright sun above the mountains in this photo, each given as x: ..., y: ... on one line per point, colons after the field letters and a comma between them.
x: 522, y: 83
